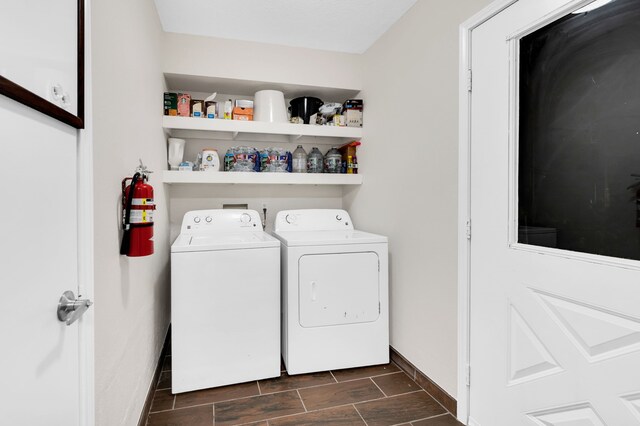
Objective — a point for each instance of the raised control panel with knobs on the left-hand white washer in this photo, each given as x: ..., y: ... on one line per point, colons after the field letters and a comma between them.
x: 219, y: 220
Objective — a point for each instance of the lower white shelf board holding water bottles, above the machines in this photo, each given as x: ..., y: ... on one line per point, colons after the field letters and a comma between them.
x: 172, y: 176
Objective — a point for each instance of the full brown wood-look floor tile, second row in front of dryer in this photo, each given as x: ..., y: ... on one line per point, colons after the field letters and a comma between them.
x: 327, y: 396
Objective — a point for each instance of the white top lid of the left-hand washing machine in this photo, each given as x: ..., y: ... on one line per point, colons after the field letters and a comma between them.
x: 223, y: 241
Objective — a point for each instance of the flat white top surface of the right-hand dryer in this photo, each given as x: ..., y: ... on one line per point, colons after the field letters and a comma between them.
x: 325, y: 238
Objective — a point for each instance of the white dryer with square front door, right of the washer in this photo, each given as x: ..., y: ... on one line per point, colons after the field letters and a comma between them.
x: 335, y: 292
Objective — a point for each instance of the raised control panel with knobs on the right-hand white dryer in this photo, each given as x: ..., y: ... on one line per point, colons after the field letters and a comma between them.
x: 313, y: 220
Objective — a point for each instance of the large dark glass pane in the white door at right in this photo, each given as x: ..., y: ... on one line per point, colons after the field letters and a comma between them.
x: 579, y: 133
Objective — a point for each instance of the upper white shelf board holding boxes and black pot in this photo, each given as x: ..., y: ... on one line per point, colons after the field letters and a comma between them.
x: 203, y: 128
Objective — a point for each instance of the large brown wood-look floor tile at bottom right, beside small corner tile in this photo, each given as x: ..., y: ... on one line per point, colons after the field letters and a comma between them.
x: 398, y: 409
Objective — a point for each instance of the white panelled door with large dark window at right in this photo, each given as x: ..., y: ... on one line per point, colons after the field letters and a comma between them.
x: 554, y: 332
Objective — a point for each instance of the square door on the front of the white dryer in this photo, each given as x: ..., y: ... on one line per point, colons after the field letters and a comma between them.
x: 338, y: 288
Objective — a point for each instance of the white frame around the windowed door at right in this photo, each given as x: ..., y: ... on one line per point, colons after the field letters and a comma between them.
x: 464, y: 196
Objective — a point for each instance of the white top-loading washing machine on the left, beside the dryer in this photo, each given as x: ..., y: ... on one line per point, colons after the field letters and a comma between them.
x: 225, y: 300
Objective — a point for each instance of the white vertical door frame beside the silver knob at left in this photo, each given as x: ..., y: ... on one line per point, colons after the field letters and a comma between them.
x: 84, y: 159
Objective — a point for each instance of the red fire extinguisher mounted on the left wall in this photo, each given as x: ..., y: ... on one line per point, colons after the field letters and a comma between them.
x: 138, y: 207
